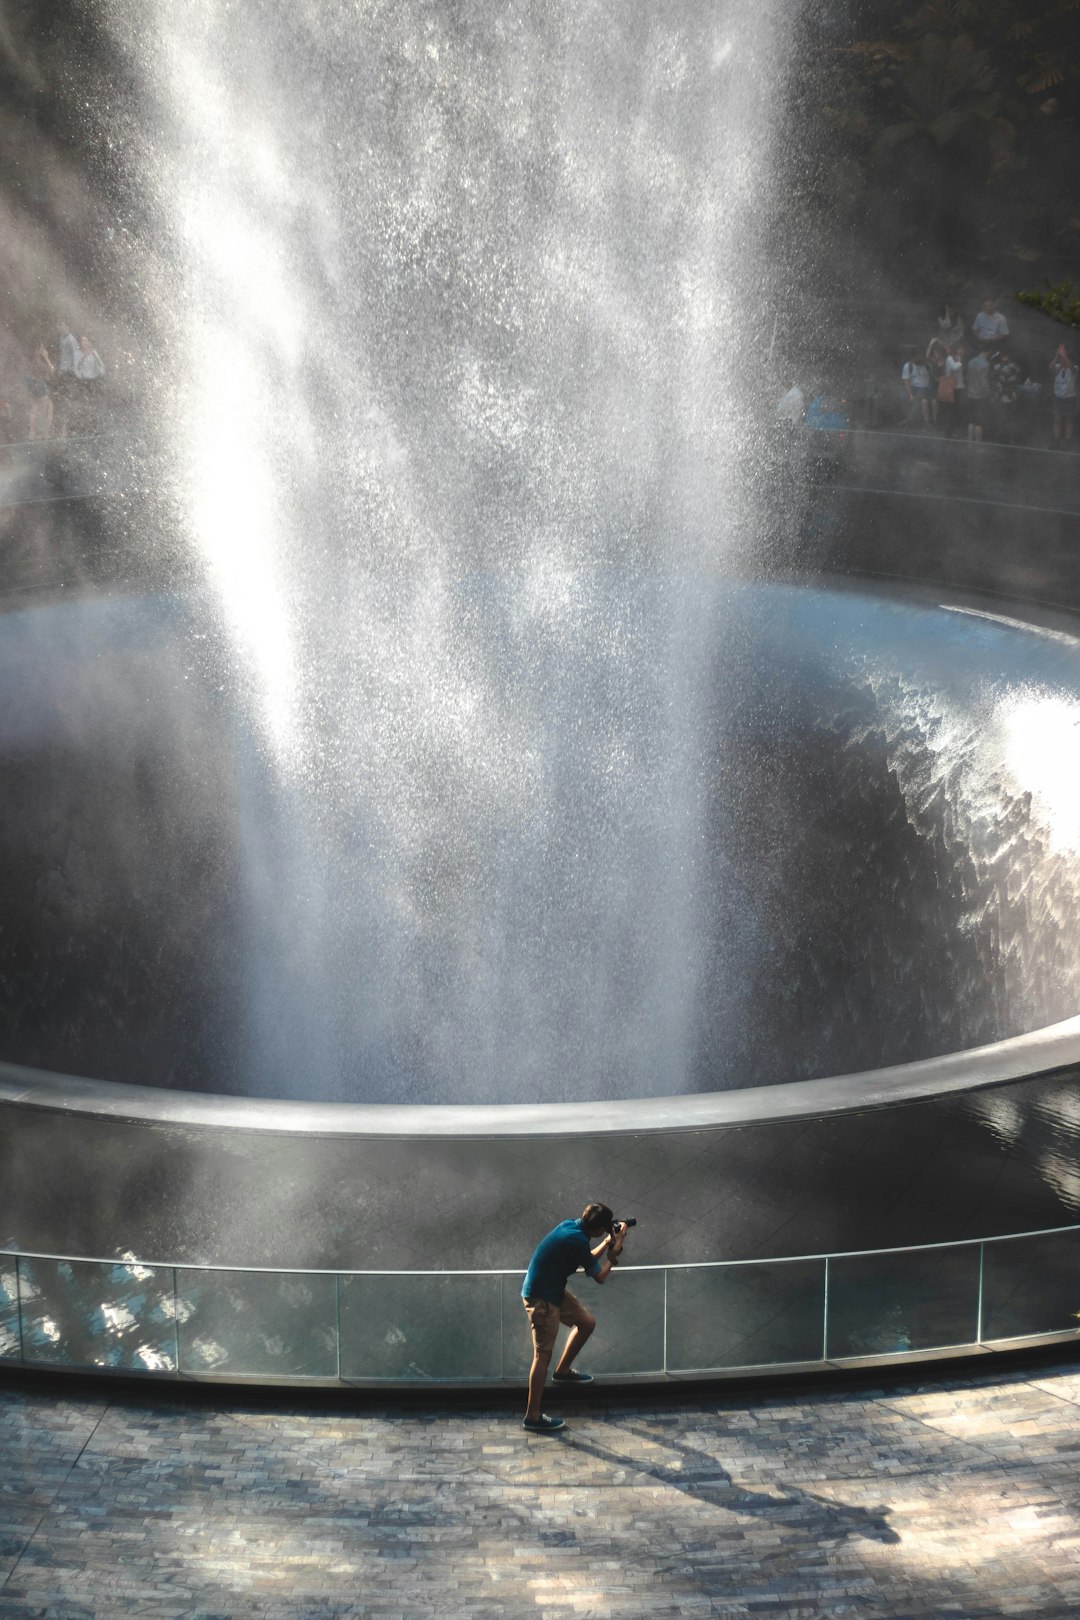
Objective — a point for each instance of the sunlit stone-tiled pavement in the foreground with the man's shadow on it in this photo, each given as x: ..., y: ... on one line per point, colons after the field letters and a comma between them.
x: 956, y: 1496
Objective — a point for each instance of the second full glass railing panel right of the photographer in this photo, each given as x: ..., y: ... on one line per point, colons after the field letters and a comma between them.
x: 883, y: 1305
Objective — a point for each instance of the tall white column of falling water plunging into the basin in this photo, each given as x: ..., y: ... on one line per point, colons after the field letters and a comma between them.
x: 453, y: 297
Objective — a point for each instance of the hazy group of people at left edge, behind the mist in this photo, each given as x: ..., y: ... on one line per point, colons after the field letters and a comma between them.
x: 61, y: 391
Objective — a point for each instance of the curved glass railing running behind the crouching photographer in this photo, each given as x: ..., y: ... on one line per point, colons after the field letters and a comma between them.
x: 469, y: 1328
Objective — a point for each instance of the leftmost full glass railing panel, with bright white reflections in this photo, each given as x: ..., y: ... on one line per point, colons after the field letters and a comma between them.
x: 91, y: 1315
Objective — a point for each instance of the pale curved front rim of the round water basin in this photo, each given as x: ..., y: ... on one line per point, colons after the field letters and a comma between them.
x: 1023, y: 1057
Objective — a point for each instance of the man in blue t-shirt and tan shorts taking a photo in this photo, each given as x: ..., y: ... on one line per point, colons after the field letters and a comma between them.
x: 548, y: 1302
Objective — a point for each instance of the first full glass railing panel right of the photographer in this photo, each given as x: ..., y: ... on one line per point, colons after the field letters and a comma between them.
x: 746, y: 1316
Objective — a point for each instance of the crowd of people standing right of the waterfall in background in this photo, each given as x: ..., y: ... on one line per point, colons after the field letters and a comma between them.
x: 959, y: 383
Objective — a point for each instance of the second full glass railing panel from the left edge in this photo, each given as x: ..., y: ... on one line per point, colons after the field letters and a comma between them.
x: 257, y: 1324
